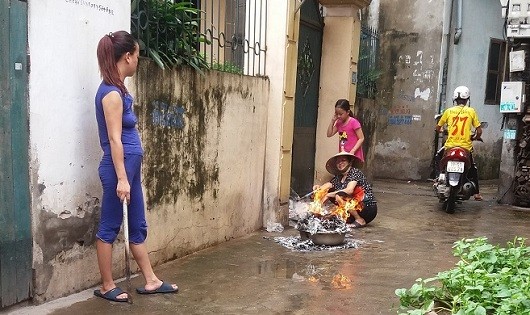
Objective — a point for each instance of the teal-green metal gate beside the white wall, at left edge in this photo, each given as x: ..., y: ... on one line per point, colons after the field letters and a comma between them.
x: 15, y: 223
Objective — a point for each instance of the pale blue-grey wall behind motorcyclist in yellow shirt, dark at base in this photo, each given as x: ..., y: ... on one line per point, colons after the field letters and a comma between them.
x: 468, y: 60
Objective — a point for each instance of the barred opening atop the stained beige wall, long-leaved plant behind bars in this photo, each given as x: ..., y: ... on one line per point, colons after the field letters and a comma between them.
x: 224, y: 35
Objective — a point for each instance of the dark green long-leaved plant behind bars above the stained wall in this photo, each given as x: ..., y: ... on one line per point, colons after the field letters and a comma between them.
x: 168, y: 32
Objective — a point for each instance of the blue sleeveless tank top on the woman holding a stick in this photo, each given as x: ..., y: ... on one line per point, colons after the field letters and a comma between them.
x: 129, y: 135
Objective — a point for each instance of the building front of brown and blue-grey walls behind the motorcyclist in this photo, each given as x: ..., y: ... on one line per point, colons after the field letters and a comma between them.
x: 428, y: 48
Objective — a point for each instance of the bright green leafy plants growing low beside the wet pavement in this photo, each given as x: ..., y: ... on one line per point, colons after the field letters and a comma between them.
x: 487, y: 280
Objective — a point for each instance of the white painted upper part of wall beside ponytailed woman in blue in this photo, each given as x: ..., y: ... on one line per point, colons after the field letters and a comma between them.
x: 63, y: 36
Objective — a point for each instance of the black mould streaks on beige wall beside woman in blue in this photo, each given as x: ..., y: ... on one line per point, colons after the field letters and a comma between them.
x: 182, y: 160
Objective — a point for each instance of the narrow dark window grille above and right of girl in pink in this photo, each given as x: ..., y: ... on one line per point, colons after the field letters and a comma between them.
x: 368, y: 72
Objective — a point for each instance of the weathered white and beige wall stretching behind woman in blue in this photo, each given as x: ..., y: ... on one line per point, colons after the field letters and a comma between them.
x: 203, y: 136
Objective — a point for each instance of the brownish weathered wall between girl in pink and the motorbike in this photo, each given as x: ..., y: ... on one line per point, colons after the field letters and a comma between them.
x: 410, y: 35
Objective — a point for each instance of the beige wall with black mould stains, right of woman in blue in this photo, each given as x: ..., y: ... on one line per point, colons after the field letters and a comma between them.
x: 204, y: 156
